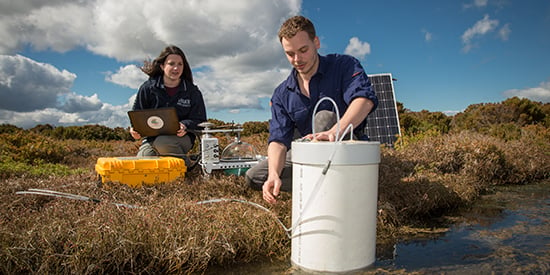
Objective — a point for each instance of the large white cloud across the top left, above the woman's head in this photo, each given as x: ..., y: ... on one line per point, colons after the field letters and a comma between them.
x: 132, y: 30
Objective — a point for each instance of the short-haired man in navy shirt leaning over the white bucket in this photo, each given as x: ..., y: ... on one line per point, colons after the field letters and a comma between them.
x: 340, y: 77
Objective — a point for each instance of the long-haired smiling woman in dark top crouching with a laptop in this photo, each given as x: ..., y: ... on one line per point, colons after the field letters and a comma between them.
x: 170, y: 84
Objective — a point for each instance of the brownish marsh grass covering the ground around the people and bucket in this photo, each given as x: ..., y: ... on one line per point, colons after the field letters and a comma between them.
x: 170, y: 232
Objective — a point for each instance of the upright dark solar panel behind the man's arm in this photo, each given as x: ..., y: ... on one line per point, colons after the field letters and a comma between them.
x: 383, y: 123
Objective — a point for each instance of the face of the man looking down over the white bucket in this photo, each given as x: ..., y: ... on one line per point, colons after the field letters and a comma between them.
x: 301, y: 53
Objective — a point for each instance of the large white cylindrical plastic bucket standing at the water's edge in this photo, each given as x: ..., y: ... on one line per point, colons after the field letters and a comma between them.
x: 334, y: 215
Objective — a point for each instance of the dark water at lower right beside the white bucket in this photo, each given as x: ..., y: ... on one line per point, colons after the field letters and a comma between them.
x: 506, y: 232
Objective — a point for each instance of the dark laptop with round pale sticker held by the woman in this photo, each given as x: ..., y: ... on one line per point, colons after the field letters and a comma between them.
x: 154, y: 122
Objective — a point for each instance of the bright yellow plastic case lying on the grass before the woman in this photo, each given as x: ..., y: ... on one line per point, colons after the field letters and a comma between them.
x: 135, y: 171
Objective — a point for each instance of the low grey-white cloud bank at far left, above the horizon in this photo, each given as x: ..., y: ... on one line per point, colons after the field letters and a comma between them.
x: 33, y: 93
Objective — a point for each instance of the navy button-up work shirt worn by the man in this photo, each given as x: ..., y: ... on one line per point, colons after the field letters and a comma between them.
x: 340, y: 77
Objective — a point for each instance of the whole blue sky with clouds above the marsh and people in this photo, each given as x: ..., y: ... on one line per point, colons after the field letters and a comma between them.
x: 66, y: 62
